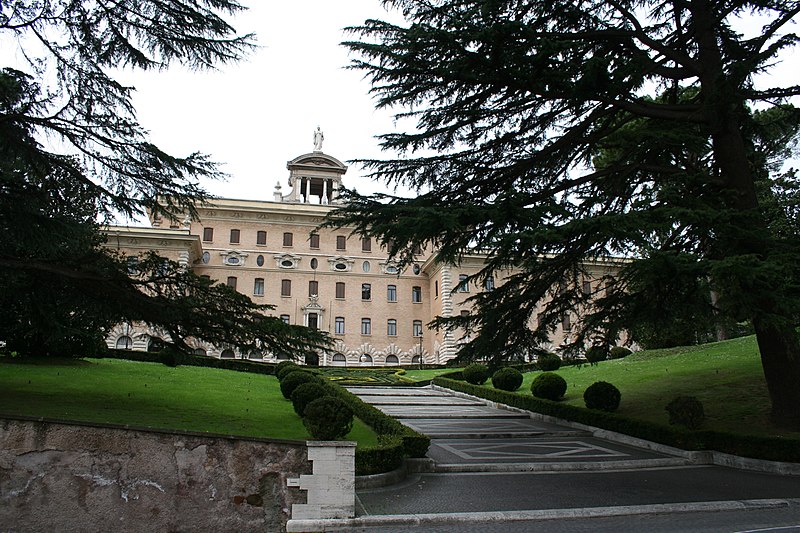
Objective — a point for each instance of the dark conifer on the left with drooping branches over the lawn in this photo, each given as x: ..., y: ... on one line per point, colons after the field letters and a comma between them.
x: 73, y: 156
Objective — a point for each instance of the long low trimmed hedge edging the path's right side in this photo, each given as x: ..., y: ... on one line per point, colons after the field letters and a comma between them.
x: 768, y: 448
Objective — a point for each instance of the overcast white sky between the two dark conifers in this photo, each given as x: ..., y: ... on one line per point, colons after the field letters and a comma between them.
x: 257, y: 115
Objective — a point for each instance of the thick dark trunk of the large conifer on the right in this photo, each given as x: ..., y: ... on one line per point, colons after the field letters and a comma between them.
x: 723, y: 108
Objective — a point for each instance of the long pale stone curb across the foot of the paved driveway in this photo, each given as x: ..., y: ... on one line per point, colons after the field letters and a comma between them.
x: 533, y: 515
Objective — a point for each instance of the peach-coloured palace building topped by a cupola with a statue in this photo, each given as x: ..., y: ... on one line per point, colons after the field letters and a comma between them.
x: 272, y: 251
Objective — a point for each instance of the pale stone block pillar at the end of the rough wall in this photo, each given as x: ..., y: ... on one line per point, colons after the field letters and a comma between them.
x: 331, y: 487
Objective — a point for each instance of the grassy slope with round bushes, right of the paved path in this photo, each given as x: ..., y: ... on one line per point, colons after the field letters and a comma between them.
x: 726, y: 376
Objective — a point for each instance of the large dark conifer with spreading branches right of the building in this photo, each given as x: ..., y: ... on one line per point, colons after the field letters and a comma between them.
x: 553, y: 133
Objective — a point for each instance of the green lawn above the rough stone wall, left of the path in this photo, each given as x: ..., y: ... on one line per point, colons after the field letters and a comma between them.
x: 154, y: 395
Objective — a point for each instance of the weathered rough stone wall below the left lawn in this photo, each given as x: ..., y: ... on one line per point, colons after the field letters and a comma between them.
x: 80, y: 478
